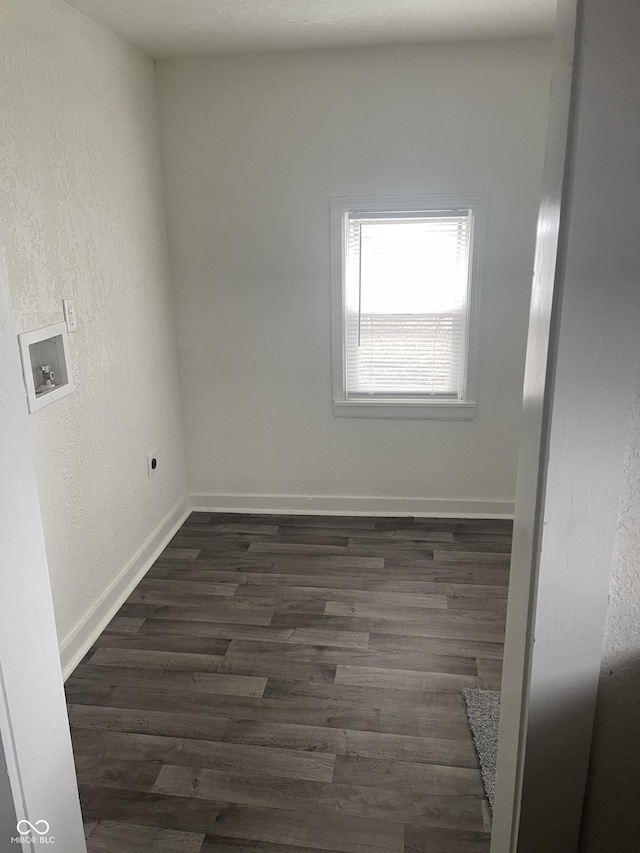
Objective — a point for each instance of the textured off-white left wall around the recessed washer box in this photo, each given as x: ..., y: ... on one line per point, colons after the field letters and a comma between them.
x: 81, y: 215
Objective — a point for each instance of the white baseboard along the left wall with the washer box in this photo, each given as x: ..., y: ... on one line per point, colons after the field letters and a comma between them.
x: 75, y: 646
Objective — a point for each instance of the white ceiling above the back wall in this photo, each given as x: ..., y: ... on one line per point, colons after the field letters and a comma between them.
x: 173, y: 28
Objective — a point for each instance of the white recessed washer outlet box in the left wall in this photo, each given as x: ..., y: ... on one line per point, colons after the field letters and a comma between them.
x: 45, y: 365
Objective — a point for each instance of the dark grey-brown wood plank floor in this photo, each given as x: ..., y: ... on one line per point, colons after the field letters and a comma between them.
x: 292, y: 684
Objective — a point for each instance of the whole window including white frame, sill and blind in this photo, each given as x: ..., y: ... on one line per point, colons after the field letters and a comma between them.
x: 403, y: 307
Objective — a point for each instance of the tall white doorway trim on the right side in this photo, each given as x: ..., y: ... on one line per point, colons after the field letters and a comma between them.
x: 580, y: 370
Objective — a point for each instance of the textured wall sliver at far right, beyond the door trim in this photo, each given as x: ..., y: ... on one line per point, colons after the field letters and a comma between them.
x: 611, y: 821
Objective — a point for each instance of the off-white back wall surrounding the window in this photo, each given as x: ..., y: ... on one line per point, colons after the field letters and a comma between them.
x: 253, y: 148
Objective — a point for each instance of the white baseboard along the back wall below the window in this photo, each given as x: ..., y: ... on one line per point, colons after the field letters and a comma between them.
x: 343, y: 505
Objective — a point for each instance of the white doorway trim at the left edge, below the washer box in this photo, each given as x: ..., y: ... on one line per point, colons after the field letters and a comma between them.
x: 34, y: 728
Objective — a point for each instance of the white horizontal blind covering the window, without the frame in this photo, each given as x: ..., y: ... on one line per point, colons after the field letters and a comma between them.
x: 406, y: 299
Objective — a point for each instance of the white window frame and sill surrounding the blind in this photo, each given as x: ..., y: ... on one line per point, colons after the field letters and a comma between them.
x: 463, y: 408
